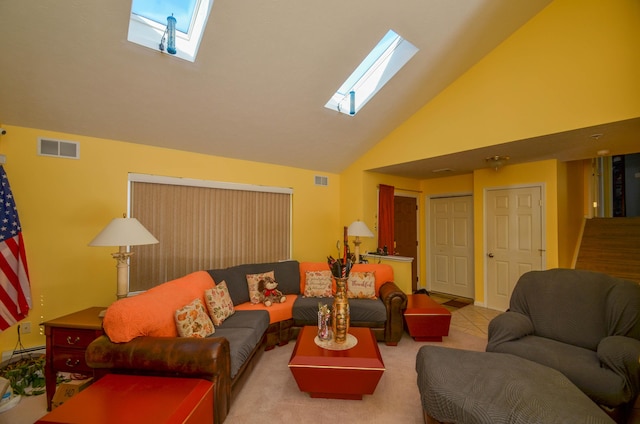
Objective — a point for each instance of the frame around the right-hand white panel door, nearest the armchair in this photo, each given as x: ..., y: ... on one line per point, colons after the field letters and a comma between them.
x: 543, y: 227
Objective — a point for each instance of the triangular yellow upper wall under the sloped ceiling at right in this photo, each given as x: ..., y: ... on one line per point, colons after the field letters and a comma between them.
x: 573, y: 65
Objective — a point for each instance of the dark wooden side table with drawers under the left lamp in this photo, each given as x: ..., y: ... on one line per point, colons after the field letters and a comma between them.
x: 67, y: 339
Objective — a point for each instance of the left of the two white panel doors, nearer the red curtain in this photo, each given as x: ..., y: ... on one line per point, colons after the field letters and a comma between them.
x: 451, y: 246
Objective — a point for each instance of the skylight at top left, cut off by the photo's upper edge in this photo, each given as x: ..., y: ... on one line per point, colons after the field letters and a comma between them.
x: 148, y: 22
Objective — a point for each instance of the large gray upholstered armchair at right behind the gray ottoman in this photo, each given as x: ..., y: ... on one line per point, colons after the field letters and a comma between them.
x: 582, y: 323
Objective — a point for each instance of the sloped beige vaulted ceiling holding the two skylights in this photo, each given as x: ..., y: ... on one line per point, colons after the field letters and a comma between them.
x: 259, y: 84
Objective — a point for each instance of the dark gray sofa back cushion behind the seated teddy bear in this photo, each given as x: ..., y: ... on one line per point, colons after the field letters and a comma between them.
x: 286, y: 273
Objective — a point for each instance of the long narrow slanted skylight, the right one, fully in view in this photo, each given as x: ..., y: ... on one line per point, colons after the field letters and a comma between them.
x: 380, y: 65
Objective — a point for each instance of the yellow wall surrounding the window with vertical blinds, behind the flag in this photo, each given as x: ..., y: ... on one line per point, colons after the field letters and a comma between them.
x: 64, y: 203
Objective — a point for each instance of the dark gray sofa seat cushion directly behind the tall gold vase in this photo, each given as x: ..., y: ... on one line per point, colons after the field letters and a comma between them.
x: 305, y: 309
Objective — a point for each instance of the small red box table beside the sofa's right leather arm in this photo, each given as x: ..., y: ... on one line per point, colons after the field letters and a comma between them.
x: 426, y: 320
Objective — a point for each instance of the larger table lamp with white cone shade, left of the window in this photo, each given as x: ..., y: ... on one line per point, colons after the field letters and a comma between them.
x: 123, y: 232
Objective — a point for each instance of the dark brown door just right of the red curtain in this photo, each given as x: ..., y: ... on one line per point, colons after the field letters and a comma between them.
x: 405, y: 232
